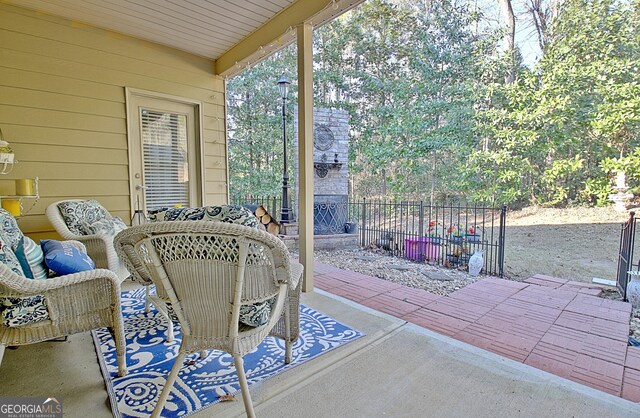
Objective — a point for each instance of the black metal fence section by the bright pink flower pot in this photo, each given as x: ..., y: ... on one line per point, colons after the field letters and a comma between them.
x: 446, y: 234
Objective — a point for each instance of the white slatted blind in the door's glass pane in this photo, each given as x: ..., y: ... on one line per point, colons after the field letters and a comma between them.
x: 166, y: 161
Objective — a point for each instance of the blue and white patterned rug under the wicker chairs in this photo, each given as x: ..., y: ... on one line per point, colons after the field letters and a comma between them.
x: 201, y: 381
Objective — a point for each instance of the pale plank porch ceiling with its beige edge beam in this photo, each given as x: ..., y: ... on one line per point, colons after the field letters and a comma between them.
x: 245, y: 30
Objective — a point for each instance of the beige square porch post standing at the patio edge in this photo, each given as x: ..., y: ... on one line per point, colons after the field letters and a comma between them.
x: 305, y: 151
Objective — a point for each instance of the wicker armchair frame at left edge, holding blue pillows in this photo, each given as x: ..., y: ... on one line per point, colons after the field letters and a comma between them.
x: 76, y: 303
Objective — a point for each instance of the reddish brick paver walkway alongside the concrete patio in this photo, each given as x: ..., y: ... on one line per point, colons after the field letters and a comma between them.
x: 555, y: 325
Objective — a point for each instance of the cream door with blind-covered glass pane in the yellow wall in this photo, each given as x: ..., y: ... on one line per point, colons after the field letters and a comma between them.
x: 164, y: 153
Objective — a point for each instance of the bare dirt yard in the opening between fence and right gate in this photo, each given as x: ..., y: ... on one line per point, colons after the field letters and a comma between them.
x: 576, y: 243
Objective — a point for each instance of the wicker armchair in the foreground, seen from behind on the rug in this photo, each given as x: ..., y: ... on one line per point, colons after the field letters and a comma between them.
x: 208, y: 270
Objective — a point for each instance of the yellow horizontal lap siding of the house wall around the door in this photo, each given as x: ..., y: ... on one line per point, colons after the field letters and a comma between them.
x: 62, y: 108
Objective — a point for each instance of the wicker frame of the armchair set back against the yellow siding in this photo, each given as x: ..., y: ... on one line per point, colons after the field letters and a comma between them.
x: 99, y: 247
